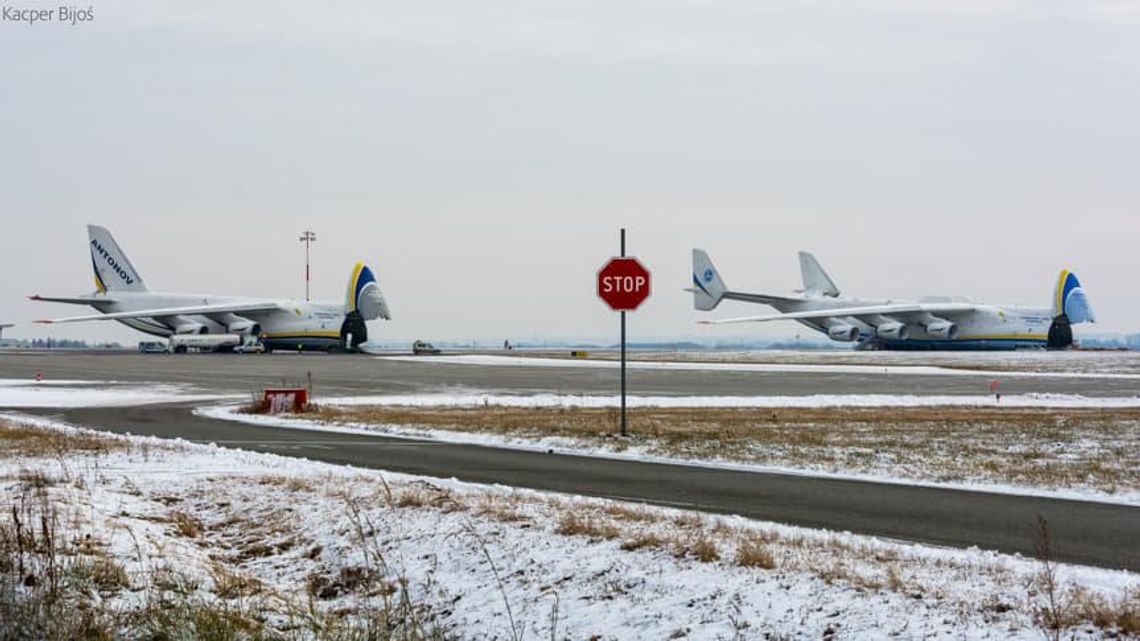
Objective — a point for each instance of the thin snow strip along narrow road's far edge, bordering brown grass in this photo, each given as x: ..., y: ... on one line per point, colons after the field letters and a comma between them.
x: 922, y: 474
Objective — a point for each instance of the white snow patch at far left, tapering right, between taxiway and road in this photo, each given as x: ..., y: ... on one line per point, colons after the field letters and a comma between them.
x: 17, y: 393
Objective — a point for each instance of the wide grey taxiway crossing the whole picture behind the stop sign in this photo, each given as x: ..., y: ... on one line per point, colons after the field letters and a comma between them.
x: 341, y: 375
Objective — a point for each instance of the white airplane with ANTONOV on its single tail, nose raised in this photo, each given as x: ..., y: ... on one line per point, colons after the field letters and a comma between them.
x: 283, y: 324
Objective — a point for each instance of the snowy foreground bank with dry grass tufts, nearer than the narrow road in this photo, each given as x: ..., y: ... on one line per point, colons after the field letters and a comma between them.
x: 486, y: 561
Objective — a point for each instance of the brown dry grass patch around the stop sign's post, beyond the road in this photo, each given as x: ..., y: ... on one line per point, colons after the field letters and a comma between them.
x: 1049, y: 448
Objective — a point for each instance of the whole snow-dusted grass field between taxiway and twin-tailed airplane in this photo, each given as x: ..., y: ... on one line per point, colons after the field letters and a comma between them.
x: 941, y: 364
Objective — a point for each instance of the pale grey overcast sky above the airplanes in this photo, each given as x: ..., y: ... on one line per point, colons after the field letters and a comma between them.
x: 483, y: 156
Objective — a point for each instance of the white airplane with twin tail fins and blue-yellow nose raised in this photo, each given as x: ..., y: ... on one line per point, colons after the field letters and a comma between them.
x: 931, y: 323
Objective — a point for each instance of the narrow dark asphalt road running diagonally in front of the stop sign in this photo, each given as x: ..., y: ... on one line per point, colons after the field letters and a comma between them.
x: 1081, y: 532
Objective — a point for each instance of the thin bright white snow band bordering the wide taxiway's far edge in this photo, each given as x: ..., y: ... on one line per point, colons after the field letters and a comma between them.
x: 490, y: 360
